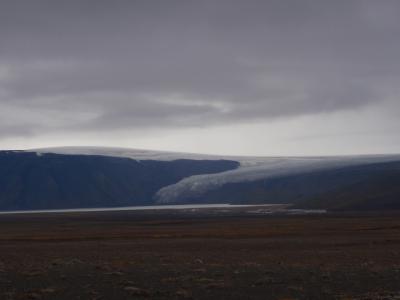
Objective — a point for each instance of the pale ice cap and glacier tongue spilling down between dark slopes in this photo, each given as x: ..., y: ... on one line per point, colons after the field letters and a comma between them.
x: 250, y: 169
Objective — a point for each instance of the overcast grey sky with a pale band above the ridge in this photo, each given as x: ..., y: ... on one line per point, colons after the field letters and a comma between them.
x: 281, y: 77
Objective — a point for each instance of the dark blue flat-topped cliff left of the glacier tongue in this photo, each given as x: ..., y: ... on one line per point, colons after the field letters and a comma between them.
x: 51, y: 181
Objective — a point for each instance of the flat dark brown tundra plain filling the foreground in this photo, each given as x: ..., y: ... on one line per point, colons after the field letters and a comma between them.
x: 199, y: 255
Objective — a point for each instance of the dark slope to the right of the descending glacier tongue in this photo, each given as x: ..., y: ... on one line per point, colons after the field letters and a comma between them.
x: 364, y: 187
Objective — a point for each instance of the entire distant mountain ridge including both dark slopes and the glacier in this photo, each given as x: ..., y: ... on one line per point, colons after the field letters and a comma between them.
x: 29, y: 180
